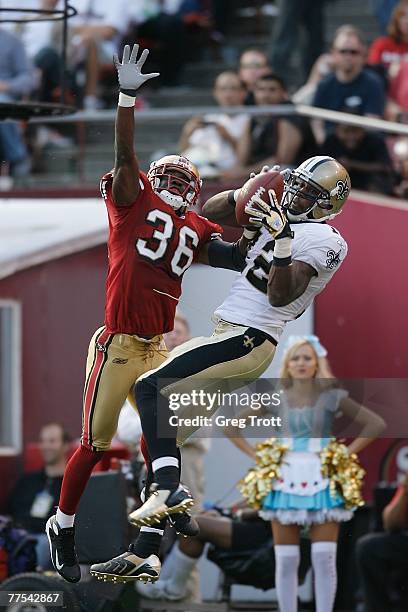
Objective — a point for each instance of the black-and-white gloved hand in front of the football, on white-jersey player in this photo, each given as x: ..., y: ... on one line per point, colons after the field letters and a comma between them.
x: 271, y: 216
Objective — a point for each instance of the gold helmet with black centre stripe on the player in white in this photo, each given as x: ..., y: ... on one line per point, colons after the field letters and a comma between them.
x: 322, y: 182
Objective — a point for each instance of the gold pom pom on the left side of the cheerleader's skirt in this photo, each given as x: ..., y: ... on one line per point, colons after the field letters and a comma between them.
x: 258, y: 482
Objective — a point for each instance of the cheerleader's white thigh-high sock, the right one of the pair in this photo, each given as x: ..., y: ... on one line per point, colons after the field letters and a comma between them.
x: 325, y: 574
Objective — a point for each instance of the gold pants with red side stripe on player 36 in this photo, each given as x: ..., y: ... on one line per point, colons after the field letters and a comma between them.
x: 114, y: 363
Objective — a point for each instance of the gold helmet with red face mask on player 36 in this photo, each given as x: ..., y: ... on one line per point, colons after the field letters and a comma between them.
x: 176, y: 180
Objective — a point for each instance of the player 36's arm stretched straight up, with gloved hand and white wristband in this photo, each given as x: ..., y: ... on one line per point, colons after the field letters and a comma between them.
x: 126, y: 186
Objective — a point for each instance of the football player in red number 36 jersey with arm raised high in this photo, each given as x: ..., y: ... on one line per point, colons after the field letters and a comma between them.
x: 153, y: 239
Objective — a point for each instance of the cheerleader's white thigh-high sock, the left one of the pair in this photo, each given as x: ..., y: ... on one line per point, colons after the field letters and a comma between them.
x: 287, y: 557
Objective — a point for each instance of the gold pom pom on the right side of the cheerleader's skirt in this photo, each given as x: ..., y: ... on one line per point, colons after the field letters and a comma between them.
x: 344, y: 472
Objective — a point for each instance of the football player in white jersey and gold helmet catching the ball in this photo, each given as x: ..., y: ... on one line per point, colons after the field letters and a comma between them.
x: 294, y: 257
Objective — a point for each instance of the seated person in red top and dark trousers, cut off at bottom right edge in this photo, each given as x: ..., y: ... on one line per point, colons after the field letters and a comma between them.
x: 381, y: 554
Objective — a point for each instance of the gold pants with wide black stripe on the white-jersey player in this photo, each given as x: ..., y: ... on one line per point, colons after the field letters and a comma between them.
x: 226, y: 361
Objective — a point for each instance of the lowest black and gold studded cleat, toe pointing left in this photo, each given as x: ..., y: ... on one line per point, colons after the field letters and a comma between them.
x: 127, y: 568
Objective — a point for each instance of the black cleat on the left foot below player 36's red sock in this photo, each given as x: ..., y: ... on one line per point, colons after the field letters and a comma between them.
x: 62, y: 550
